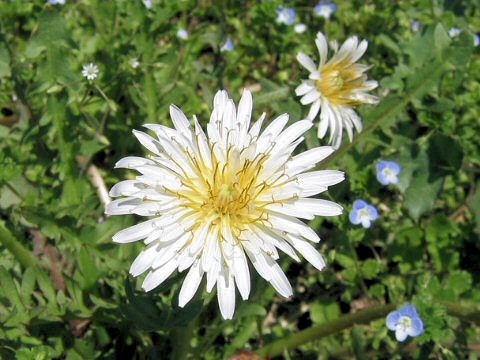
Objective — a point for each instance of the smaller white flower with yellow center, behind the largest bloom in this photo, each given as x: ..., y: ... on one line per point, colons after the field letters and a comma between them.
x: 336, y: 87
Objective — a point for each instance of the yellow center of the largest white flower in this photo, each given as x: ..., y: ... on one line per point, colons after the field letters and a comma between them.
x: 228, y: 192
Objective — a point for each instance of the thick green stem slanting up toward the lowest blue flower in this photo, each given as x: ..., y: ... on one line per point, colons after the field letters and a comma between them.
x: 315, y: 332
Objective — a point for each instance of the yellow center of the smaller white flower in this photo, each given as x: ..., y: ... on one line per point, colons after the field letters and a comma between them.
x: 339, y: 81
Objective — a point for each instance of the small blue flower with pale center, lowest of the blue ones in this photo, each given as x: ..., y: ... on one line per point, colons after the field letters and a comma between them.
x: 405, y: 322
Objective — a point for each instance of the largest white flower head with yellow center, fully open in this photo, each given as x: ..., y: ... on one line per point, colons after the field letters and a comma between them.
x: 219, y: 198
